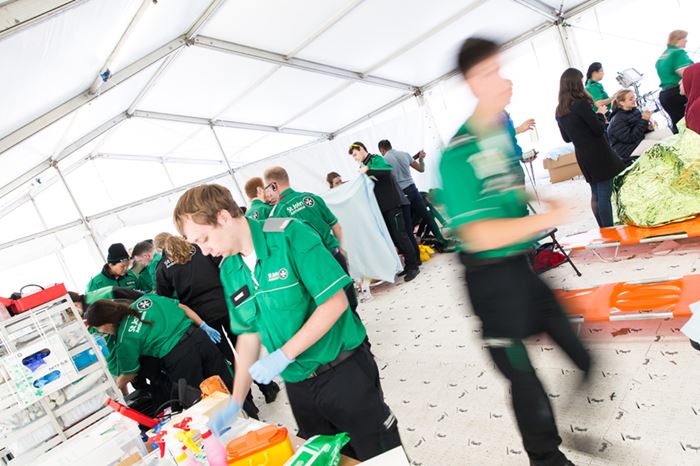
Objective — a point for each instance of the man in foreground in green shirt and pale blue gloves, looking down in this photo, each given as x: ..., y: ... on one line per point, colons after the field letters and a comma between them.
x: 285, y: 291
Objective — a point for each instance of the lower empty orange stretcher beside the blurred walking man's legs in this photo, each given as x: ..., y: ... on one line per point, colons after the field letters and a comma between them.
x: 632, y: 300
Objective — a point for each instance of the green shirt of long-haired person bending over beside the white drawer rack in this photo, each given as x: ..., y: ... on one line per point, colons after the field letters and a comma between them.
x: 135, y: 338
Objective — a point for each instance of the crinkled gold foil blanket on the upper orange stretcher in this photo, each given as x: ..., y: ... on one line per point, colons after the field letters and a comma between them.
x: 663, y: 186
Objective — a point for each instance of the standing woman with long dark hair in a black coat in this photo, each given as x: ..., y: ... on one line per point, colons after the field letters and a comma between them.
x: 579, y: 124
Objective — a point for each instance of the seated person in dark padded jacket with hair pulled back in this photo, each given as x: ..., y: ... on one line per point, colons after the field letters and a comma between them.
x: 627, y: 125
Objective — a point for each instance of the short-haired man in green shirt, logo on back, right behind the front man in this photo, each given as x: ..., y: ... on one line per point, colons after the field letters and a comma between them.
x: 313, y: 210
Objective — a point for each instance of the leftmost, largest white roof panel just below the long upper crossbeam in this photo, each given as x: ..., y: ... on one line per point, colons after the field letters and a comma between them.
x: 202, y: 82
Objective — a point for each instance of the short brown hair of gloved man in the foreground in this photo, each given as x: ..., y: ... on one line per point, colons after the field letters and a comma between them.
x: 203, y: 203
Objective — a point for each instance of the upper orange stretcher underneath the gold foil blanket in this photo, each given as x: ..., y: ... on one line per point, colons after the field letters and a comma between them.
x: 627, y: 235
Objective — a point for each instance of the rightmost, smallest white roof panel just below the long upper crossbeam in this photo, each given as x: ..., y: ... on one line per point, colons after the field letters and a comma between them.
x: 346, y: 106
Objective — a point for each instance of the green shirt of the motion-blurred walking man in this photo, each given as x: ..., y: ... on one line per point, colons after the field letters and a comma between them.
x: 479, y: 183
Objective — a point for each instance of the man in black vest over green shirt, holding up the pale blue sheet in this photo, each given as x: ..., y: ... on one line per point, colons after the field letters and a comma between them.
x: 391, y: 201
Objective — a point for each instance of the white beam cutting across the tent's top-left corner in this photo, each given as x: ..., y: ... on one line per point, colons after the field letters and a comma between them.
x: 17, y: 16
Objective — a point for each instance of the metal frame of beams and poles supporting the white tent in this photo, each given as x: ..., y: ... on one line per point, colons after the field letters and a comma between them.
x: 19, y: 15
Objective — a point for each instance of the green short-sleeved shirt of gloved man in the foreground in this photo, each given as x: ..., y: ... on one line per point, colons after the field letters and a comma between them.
x: 294, y: 275
